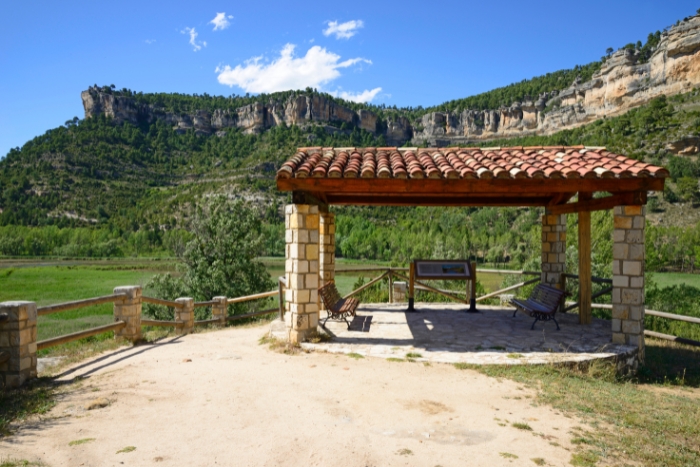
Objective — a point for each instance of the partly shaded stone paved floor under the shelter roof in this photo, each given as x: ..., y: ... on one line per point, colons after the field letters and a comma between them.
x: 445, y: 333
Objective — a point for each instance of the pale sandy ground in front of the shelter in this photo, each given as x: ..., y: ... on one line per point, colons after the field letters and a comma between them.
x: 219, y: 398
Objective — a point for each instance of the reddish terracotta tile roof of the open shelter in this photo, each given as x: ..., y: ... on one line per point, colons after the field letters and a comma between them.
x: 535, y: 162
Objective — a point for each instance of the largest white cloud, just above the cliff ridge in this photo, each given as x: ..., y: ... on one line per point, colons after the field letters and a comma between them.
x: 317, y: 68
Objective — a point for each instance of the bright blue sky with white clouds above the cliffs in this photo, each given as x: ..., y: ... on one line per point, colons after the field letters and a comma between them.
x: 404, y: 53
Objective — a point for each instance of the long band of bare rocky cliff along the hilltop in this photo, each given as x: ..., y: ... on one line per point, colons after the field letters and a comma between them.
x: 620, y: 84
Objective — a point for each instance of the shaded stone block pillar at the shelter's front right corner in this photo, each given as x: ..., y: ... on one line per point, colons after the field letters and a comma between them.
x: 628, y: 277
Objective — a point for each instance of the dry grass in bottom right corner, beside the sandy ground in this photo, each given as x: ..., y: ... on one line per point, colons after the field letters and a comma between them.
x: 644, y: 425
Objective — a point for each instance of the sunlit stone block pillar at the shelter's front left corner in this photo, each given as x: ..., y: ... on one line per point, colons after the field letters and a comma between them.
x: 301, y: 269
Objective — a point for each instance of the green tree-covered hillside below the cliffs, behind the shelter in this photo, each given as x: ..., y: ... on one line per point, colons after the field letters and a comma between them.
x: 93, y: 188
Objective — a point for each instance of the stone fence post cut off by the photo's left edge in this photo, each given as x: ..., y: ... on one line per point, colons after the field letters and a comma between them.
x: 17, y: 343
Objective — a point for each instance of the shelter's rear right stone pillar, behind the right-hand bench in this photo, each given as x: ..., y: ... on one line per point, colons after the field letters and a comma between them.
x: 553, y: 248
